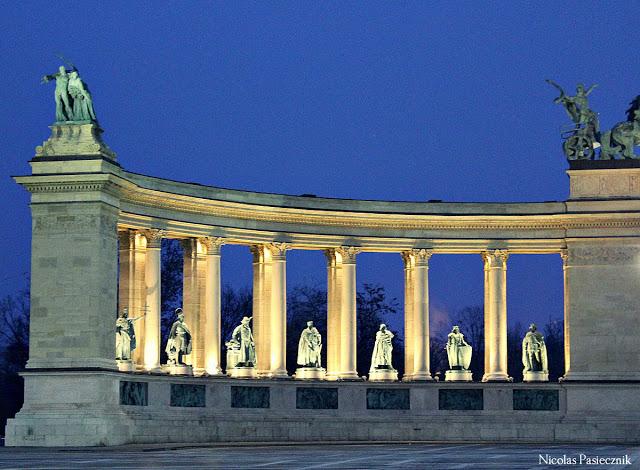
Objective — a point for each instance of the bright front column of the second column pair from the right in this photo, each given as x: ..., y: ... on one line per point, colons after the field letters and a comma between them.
x: 421, y: 354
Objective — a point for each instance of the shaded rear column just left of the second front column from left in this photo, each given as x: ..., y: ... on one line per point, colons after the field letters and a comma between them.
x: 193, y: 299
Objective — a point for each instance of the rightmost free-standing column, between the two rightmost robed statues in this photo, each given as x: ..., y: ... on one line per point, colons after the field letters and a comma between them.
x: 495, y: 334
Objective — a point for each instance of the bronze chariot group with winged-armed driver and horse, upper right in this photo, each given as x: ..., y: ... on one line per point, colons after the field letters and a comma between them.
x: 583, y: 138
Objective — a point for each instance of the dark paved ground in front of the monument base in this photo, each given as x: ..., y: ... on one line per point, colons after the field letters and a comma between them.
x: 403, y: 456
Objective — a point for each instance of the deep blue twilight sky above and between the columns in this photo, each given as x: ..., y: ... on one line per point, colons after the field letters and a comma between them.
x: 377, y: 100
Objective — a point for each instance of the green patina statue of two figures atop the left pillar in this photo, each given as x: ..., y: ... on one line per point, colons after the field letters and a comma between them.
x: 73, y: 100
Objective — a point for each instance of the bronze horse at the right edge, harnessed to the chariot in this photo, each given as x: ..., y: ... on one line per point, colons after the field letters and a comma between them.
x: 624, y: 136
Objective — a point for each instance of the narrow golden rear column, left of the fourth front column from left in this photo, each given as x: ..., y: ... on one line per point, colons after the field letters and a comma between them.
x: 334, y: 273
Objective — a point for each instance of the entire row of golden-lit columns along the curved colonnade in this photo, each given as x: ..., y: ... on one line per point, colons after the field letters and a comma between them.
x: 140, y: 289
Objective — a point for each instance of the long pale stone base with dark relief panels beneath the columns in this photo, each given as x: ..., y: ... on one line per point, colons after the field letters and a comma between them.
x: 105, y: 408
